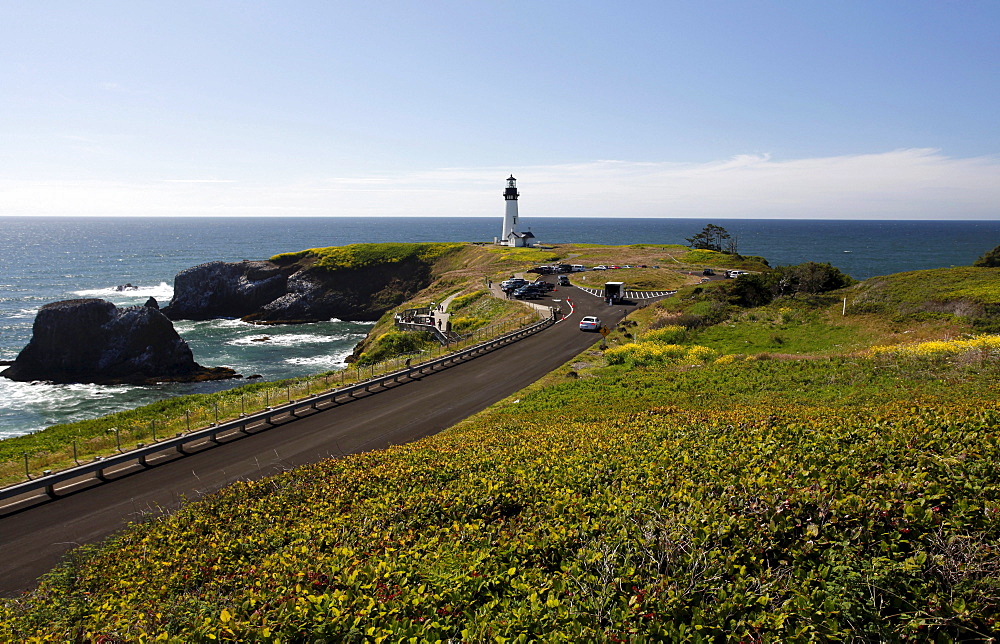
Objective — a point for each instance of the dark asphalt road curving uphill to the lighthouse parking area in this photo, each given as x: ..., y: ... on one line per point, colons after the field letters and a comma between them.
x: 35, y: 538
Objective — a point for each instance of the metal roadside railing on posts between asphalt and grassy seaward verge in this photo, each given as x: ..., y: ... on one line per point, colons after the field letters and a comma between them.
x: 143, y: 454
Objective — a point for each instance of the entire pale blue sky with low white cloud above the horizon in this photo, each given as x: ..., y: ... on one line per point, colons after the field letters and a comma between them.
x: 644, y: 109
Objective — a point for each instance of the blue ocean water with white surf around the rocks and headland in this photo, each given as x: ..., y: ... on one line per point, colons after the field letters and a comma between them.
x: 49, y: 259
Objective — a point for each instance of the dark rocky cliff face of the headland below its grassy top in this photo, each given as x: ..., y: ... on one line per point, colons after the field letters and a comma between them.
x: 267, y: 292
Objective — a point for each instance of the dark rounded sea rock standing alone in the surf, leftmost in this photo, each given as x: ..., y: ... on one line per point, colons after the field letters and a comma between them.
x: 94, y: 341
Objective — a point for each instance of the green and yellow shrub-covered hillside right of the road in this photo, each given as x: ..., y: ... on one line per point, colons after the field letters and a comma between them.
x: 679, y: 492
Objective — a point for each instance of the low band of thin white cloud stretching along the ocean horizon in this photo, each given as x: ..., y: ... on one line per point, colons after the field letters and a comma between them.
x: 902, y: 184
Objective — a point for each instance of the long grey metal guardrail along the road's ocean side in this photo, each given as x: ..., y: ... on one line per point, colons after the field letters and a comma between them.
x: 99, y: 468
